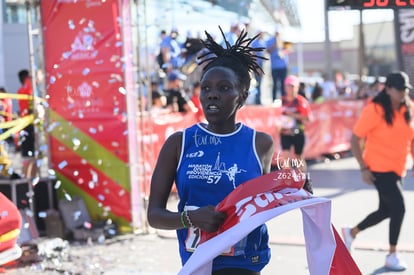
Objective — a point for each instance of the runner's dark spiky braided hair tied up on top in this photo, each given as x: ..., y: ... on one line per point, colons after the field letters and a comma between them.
x: 241, y: 58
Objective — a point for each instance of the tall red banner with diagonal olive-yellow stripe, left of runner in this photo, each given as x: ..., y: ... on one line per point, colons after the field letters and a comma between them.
x: 87, y: 87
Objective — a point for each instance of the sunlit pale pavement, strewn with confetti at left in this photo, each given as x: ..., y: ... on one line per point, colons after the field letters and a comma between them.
x: 156, y: 252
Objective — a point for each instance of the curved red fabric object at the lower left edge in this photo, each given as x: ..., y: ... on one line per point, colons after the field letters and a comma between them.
x: 10, y: 219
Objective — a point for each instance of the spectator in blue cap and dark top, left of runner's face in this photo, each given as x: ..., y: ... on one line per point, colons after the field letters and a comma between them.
x: 177, y: 100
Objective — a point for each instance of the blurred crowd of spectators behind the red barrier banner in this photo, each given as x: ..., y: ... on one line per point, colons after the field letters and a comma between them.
x: 180, y: 59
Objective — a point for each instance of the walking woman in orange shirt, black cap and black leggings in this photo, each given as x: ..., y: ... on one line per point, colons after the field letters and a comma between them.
x: 382, y: 138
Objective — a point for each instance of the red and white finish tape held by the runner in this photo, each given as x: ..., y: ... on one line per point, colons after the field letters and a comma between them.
x: 248, y: 207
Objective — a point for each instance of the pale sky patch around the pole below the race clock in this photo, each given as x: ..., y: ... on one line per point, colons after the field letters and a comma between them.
x: 311, y: 13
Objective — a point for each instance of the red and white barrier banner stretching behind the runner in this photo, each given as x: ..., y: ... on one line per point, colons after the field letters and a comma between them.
x: 329, y: 132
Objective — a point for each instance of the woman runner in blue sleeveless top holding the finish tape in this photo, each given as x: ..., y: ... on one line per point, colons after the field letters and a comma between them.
x: 186, y: 156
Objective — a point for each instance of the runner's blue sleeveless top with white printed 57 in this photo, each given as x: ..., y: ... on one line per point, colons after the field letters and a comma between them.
x: 210, y: 167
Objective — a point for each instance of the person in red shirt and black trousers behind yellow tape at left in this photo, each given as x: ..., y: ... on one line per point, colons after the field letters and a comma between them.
x: 27, y: 135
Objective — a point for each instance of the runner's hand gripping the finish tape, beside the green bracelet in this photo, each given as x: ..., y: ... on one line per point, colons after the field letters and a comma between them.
x: 206, y: 218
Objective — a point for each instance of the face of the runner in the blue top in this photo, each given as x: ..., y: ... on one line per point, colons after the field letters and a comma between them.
x: 221, y: 95
